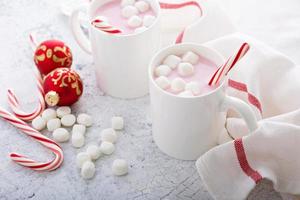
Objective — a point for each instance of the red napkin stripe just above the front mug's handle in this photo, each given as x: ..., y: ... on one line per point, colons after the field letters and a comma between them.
x: 243, y: 87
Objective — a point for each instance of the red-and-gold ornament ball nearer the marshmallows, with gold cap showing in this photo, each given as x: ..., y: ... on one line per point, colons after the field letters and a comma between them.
x: 62, y: 87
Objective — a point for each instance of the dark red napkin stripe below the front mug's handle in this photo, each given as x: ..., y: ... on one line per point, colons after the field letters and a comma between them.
x: 242, y: 158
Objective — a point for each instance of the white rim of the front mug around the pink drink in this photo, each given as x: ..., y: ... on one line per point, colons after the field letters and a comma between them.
x: 153, y: 60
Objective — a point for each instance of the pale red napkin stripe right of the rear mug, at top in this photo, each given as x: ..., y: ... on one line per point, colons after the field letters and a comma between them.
x: 178, y: 6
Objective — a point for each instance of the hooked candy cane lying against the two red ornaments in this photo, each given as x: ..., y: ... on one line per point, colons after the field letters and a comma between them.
x: 14, y: 103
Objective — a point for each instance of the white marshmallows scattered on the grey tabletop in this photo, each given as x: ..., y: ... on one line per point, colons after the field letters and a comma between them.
x: 55, y: 119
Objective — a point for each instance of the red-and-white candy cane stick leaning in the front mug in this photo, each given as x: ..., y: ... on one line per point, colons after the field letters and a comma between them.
x: 230, y: 63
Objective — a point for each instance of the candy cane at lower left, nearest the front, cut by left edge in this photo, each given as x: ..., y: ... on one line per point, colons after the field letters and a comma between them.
x: 48, y: 143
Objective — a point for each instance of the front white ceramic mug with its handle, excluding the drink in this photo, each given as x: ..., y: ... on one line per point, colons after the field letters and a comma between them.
x: 187, y: 127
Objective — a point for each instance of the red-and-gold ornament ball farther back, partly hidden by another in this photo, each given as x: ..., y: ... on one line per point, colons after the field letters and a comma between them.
x: 52, y: 54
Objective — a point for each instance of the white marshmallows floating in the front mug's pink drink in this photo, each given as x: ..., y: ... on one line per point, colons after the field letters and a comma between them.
x: 185, y: 68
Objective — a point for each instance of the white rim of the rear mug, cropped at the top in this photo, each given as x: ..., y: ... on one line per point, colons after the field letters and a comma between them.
x: 157, y: 18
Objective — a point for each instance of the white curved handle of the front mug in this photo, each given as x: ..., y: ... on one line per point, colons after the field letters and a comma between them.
x: 243, y: 109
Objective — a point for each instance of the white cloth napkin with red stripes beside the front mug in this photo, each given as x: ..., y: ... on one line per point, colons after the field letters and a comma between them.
x: 270, y: 83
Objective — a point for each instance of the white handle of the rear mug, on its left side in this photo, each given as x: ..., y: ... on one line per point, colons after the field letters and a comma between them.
x: 78, y: 34
